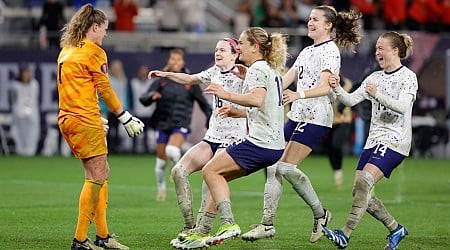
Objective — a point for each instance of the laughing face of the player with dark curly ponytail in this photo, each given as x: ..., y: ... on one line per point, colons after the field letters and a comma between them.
x: 318, y: 26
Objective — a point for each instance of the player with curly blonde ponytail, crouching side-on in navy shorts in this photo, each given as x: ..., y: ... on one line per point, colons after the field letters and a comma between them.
x: 266, y: 55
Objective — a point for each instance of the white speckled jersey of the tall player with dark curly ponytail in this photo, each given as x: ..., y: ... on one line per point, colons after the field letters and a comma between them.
x: 309, y: 64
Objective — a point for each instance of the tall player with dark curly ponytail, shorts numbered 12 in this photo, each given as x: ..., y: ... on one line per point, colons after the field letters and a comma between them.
x: 311, y: 114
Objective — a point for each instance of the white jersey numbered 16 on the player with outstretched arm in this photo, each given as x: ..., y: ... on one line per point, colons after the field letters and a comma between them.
x: 224, y: 130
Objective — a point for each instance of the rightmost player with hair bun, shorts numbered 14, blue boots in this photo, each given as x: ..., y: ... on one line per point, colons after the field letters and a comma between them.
x: 392, y: 91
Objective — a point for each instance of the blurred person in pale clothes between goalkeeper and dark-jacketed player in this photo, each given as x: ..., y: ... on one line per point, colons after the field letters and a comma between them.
x: 146, y: 141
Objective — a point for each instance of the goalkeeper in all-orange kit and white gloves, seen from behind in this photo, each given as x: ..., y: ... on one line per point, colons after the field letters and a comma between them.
x: 82, y: 76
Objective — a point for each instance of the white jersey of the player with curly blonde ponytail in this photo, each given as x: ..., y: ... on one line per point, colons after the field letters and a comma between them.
x: 265, y: 123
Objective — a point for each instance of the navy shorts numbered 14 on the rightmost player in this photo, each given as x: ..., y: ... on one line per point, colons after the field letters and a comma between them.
x: 382, y: 157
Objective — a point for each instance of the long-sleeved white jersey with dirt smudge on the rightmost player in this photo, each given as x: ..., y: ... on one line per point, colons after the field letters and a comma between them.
x: 387, y: 126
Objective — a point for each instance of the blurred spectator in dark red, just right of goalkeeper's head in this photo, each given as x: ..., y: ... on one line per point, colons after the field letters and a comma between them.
x: 125, y: 11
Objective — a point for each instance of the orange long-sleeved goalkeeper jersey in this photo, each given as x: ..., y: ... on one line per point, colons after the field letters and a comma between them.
x: 82, y: 75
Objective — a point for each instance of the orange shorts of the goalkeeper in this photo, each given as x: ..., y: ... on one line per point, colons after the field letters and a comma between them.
x: 85, y: 142
